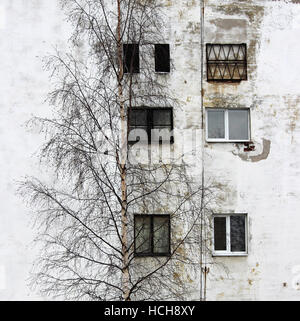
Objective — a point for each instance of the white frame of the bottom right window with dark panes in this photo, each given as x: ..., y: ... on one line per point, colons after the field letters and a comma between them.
x: 228, y: 251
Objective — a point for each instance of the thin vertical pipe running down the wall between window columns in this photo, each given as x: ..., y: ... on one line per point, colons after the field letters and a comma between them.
x: 202, y: 223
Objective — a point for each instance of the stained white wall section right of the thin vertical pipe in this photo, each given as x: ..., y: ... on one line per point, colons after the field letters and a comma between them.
x: 262, y: 183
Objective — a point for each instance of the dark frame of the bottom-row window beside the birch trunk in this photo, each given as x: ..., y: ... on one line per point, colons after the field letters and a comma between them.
x: 151, y: 253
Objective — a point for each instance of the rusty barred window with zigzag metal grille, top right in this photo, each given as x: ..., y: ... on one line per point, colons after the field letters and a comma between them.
x: 226, y: 62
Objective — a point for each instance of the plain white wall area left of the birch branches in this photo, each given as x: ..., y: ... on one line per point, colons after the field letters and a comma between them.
x: 29, y: 30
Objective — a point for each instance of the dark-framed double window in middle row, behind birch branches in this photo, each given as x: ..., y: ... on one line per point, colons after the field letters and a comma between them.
x: 150, y: 125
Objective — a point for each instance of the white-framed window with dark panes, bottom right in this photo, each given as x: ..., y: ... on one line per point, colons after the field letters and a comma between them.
x: 230, y: 234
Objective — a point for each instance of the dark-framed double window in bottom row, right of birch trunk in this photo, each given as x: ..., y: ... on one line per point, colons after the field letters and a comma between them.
x: 152, y: 235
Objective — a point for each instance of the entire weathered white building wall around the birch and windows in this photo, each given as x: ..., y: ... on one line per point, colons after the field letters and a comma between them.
x: 262, y: 183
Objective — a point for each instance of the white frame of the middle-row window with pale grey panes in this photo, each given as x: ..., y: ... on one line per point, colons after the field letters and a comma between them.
x: 226, y: 124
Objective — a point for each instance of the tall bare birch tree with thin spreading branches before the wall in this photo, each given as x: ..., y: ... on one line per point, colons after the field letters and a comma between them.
x: 95, y: 235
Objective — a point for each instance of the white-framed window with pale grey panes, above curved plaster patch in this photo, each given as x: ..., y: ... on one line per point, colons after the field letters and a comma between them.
x: 227, y: 125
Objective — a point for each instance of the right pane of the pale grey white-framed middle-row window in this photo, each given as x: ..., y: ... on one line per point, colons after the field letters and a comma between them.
x: 238, y: 124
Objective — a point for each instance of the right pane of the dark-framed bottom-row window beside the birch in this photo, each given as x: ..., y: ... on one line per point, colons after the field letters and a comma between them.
x: 161, y: 227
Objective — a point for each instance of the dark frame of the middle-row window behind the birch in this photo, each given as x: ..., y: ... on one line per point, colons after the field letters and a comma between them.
x: 150, y: 124
